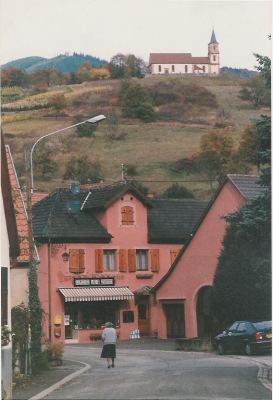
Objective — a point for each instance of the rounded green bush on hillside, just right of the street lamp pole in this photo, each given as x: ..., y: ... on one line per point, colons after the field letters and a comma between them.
x: 82, y: 170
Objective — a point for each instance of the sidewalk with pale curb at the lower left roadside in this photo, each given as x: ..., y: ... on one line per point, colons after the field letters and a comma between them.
x: 38, y: 383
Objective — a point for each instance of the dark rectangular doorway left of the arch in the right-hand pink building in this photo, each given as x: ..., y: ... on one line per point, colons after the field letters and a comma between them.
x: 175, y: 320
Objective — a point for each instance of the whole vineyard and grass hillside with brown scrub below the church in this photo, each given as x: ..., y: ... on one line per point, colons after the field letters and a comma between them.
x: 148, y: 150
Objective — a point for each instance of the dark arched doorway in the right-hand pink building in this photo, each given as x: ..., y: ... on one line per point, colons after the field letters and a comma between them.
x: 203, y: 312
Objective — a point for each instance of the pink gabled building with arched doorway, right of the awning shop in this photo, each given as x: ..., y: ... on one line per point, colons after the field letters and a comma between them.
x: 182, y: 295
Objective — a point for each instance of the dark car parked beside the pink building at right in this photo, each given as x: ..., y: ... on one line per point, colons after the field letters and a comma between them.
x: 245, y: 336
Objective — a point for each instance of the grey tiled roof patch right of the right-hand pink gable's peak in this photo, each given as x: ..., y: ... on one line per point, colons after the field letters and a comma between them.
x: 248, y: 185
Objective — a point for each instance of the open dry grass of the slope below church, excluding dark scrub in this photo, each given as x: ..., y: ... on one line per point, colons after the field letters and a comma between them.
x: 151, y: 147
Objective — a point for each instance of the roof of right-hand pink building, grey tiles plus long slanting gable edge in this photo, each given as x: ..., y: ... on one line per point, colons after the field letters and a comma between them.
x: 243, y: 181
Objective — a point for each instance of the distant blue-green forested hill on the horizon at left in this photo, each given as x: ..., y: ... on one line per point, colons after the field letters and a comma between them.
x: 62, y: 63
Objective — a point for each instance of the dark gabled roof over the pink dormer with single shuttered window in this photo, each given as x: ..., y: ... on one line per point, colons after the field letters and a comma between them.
x: 103, y: 196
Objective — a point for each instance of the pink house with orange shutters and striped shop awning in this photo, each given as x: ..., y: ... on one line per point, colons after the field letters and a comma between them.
x: 101, y: 250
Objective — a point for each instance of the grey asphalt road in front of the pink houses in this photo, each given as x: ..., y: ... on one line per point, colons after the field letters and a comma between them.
x: 162, y: 375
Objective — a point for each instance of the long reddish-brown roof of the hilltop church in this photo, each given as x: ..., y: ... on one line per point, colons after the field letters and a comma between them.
x: 176, y: 58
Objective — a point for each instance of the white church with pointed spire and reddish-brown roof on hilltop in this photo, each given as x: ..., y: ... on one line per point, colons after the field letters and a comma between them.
x: 185, y: 63
